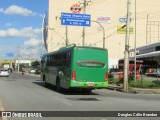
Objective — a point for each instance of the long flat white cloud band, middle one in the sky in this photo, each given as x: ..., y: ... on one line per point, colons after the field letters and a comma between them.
x: 27, y: 32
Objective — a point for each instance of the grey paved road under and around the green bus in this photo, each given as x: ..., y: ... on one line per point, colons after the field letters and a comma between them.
x: 27, y: 93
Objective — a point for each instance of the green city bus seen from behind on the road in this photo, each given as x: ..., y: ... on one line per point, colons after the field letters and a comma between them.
x: 84, y: 68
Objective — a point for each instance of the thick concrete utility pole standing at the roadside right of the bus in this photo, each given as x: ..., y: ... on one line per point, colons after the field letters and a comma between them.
x: 126, y: 52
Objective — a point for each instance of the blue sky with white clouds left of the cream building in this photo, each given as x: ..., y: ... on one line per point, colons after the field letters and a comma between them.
x: 20, y: 28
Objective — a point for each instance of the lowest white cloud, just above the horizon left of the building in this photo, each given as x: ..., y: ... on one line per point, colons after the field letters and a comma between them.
x: 30, y: 49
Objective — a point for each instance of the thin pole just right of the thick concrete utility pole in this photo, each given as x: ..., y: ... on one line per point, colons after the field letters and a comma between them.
x: 135, y: 42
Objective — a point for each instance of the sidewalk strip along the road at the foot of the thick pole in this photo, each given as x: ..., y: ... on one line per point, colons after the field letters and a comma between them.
x: 134, y: 90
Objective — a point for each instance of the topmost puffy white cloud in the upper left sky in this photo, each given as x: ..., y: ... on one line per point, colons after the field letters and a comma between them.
x: 16, y: 10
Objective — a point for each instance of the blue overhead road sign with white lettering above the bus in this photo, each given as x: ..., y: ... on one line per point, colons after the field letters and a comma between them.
x: 75, y: 19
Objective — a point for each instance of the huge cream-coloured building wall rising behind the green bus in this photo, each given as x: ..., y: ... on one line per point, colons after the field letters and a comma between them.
x: 111, y: 15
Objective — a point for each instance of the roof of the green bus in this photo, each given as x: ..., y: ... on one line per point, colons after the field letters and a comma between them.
x: 68, y: 48
